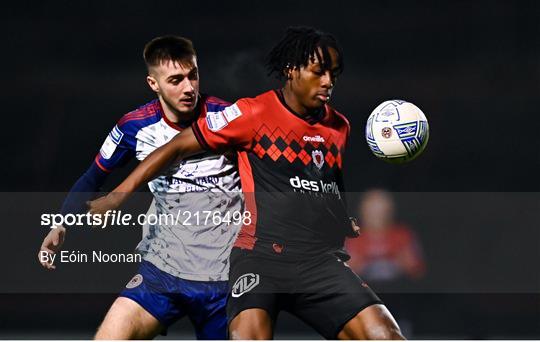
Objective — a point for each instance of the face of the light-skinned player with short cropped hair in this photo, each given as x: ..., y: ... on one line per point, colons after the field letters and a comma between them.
x: 177, y: 84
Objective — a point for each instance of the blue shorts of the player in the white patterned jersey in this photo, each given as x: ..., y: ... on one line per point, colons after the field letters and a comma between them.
x: 169, y: 298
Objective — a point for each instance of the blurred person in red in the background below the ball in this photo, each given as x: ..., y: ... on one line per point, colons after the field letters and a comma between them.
x: 387, y: 255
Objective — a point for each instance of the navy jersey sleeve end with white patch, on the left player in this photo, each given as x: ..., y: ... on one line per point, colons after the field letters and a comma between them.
x: 117, y: 149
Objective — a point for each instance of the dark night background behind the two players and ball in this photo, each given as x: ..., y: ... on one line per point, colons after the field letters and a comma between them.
x: 71, y: 70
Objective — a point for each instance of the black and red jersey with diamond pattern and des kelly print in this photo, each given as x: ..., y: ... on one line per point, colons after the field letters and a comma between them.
x: 290, y: 169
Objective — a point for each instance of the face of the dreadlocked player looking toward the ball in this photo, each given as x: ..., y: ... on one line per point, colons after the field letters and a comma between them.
x: 312, y: 84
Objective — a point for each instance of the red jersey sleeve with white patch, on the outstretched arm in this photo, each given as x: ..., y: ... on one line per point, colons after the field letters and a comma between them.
x: 230, y: 127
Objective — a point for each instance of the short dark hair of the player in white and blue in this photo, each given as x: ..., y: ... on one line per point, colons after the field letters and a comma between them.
x: 174, y: 48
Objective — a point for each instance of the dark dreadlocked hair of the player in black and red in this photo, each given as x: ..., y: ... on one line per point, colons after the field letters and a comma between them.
x: 298, y: 46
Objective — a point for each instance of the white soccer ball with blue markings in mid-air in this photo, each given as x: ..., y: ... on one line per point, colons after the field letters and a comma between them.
x: 397, y: 131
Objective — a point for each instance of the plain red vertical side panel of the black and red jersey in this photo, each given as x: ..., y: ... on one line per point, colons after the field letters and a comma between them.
x: 246, y: 237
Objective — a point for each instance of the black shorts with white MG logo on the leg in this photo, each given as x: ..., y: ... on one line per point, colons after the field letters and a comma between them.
x: 321, y: 291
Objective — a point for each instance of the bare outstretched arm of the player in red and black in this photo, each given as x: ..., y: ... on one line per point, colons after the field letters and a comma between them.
x: 181, y: 146
